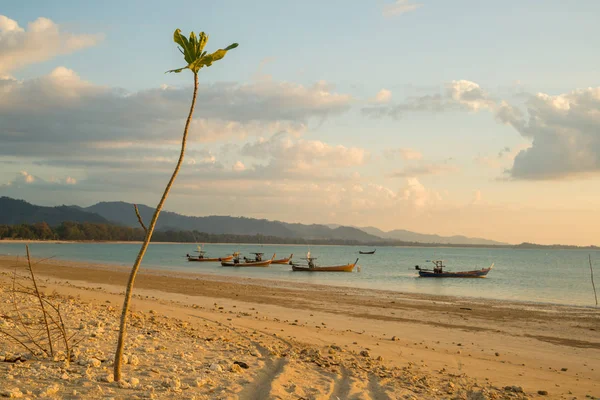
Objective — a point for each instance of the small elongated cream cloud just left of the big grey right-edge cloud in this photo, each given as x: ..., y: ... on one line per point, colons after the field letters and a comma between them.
x: 460, y: 95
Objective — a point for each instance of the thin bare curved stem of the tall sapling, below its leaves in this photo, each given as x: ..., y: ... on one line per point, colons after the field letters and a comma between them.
x: 140, y: 256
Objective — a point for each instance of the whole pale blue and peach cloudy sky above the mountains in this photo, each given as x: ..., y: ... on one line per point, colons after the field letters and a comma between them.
x: 435, y: 116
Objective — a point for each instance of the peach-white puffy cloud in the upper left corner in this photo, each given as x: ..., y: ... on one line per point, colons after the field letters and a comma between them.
x: 41, y: 41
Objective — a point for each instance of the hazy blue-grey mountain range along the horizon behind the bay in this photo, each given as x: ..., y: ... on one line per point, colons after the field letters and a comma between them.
x: 18, y: 211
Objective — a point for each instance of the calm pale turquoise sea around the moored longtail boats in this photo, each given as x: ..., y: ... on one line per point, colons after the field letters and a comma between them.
x: 549, y: 276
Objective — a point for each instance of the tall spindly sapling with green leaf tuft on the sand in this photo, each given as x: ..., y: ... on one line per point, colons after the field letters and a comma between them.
x: 196, y: 58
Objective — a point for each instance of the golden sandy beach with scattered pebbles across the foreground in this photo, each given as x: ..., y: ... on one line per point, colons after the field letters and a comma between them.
x: 298, y: 341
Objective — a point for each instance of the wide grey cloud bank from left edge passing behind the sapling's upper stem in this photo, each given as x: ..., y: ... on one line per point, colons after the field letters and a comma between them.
x: 61, y: 117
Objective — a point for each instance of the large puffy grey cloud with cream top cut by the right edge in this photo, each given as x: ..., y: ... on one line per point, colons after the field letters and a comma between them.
x: 564, y: 133
